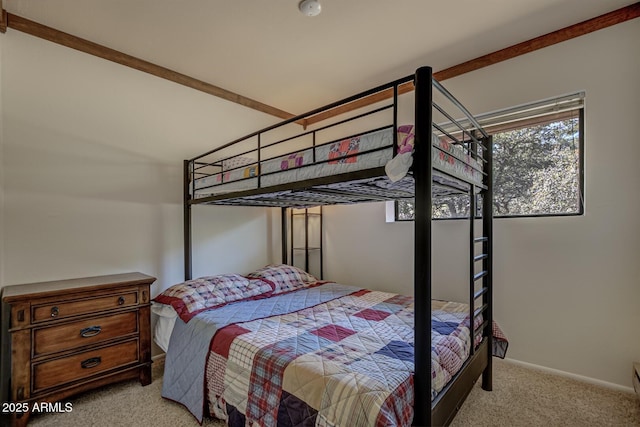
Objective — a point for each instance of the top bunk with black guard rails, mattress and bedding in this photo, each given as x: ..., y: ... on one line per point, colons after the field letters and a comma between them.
x: 352, y: 157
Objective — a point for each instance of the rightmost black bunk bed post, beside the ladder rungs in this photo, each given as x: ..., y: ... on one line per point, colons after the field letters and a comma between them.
x: 487, y: 229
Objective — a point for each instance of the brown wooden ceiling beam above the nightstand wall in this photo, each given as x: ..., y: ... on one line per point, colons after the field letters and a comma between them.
x: 47, y: 33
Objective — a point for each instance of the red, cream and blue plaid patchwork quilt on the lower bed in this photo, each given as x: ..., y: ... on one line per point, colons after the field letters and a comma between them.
x: 348, y: 361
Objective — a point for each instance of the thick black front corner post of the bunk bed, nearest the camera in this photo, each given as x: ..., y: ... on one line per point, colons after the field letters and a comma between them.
x: 422, y: 245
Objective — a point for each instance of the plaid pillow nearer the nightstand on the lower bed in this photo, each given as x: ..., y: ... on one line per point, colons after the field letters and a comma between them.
x: 194, y: 296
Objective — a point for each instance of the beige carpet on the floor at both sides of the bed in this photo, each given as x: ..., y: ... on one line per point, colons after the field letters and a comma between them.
x: 520, y: 397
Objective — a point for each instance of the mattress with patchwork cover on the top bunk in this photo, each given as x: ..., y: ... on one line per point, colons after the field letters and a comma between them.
x: 367, y: 151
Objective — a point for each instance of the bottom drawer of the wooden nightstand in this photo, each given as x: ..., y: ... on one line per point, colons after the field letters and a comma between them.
x: 83, y: 365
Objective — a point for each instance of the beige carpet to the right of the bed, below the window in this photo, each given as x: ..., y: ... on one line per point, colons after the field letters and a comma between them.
x: 527, y: 397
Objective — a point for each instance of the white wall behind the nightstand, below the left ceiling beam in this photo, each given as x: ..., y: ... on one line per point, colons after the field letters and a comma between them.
x: 92, y: 166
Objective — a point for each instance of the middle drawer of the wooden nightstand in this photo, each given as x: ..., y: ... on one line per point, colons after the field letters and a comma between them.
x: 83, y: 332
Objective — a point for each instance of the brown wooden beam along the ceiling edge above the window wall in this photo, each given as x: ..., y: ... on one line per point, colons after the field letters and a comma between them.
x: 585, y: 27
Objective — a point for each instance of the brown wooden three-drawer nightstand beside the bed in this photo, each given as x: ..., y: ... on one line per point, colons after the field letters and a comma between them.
x: 68, y: 336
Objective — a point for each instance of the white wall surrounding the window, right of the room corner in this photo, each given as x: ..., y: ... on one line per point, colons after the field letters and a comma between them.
x: 566, y: 289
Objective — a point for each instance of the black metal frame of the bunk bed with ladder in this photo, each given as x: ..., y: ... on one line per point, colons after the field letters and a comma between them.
x: 301, y: 194
